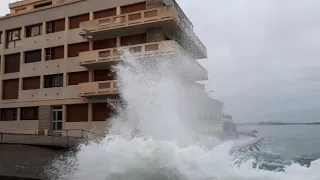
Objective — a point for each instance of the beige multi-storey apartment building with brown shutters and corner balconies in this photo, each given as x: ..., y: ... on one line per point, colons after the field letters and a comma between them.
x: 56, y: 58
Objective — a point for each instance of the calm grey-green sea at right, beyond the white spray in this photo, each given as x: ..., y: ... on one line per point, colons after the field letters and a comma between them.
x: 294, y: 143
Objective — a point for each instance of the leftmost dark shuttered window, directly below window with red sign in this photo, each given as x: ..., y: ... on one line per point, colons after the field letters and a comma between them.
x: 12, y: 63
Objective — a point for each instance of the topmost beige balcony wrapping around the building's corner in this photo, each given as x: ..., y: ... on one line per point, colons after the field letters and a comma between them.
x: 166, y: 17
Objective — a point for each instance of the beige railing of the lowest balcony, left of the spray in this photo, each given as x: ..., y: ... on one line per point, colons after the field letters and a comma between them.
x: 98, y: 88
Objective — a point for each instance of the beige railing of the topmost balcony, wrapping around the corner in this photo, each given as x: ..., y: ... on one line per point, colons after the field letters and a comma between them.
x: 141, y: 17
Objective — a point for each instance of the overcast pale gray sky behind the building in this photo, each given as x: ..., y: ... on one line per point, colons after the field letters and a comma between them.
x: 264, y: 60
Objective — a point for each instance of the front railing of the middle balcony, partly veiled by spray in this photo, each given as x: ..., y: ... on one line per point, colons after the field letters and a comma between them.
x: 105, y: 56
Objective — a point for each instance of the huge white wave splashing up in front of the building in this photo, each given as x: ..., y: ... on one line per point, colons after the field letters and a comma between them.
x: 151, y: 137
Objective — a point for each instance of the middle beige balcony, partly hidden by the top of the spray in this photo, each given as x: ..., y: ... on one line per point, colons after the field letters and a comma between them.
x: 169, y: 50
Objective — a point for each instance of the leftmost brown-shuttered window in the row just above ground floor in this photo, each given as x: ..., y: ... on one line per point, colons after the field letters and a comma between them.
x: 10, y: 89
